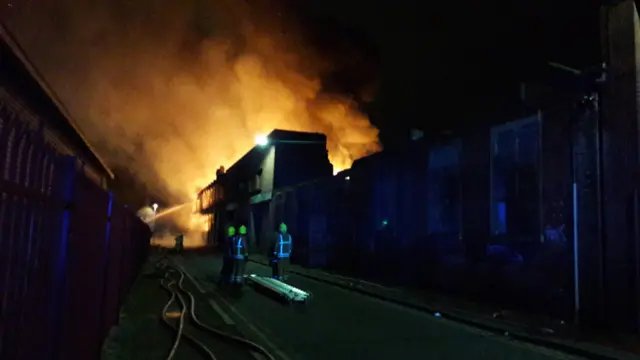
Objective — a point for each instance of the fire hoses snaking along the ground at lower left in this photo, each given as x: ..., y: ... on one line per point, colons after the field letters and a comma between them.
x: 167, y: 283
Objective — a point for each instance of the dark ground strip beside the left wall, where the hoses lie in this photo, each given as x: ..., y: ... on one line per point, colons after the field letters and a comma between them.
x: 142, y: 335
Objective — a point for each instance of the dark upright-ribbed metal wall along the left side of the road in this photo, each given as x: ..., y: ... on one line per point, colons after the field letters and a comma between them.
x: 53, y: 241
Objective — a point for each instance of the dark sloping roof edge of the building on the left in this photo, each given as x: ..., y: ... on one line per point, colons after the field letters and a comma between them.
x: 41, y: 97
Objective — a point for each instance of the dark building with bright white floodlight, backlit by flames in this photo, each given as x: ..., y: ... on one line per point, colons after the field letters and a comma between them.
x: 246, y: 191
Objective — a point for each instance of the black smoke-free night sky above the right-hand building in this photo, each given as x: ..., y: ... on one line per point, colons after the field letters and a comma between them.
x: 441, y: 62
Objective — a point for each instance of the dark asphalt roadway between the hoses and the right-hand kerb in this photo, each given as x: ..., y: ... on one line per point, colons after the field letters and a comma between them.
x: 339, y: 324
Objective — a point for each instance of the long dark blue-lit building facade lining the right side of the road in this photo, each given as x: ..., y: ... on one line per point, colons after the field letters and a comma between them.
x: 533, y: 207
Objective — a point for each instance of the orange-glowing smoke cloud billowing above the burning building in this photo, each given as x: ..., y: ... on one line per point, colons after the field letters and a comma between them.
x: 174, y: 89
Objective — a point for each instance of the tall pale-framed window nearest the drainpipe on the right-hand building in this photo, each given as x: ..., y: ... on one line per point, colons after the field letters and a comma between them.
x: 515, y: 179
